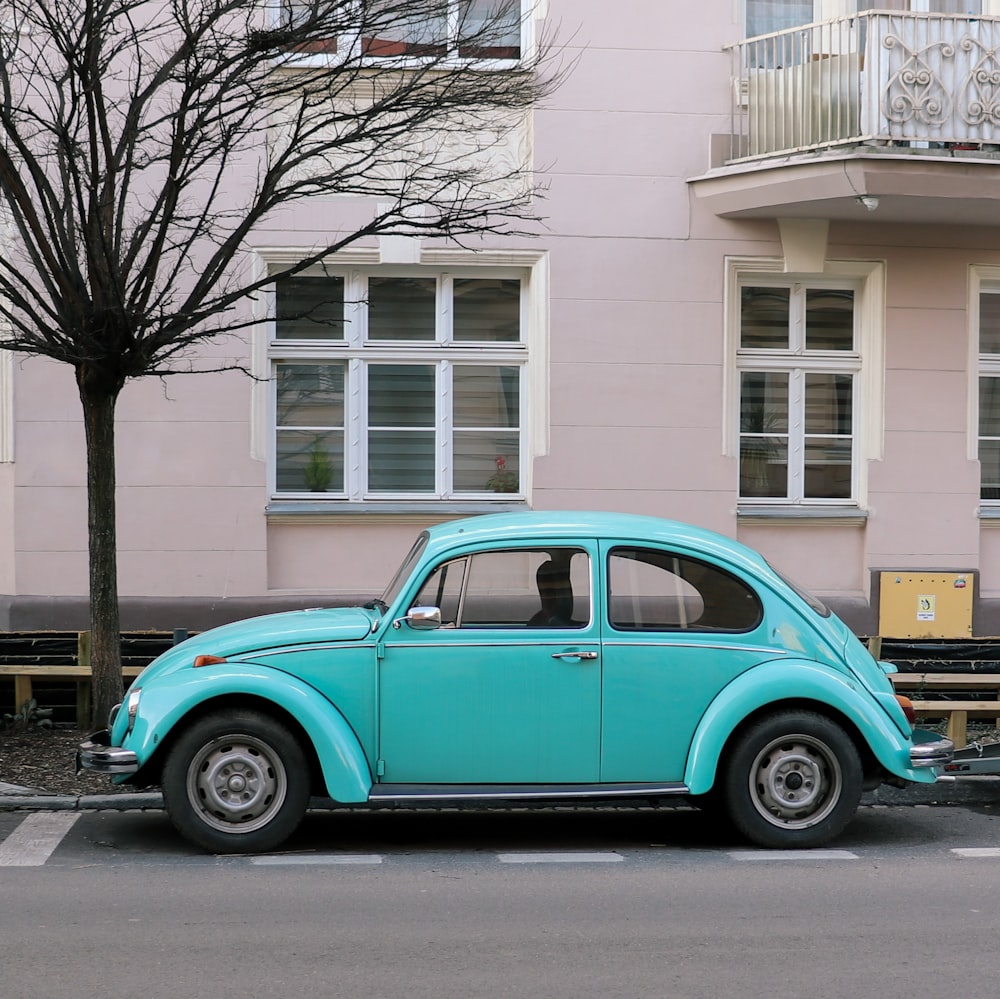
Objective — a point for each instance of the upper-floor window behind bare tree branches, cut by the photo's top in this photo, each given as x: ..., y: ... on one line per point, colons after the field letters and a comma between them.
x: 437, y: 29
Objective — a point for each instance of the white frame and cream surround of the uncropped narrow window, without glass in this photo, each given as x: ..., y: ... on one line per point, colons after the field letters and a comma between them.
x: 865, y: 363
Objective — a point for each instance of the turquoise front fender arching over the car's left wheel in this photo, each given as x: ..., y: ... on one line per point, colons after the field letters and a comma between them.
x: 169, y: 698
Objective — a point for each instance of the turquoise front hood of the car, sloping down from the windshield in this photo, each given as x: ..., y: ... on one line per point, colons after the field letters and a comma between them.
x: 242, y: 639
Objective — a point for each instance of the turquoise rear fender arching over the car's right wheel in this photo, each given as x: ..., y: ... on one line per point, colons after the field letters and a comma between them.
x: 778, y: 682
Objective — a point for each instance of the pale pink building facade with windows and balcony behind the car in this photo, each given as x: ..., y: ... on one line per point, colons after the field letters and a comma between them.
x: 765, y: 299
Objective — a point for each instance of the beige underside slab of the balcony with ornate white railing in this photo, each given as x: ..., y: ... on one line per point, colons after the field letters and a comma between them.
x: 956, y: 188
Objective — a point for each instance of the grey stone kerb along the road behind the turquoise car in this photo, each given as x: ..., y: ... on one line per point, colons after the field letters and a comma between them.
x: 967, y: 791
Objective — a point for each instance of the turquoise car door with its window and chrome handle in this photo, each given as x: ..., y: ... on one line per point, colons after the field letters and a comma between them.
x: 508, y: 688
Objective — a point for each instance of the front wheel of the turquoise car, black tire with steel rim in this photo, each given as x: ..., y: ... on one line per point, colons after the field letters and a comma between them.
x: 236, y: 782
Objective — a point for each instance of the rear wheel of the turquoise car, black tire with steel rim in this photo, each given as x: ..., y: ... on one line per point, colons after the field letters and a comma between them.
x: 793, y: 781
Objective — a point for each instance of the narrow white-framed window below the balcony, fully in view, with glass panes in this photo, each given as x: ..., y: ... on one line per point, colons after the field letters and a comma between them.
x: 797, y: 363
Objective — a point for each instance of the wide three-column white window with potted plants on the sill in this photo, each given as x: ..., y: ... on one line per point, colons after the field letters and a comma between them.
x: 399, y: 386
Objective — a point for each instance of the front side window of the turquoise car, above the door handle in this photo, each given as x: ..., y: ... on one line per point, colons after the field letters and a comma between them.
x: 522, y: 588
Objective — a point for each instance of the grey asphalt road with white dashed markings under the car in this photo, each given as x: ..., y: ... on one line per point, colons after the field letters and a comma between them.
x: 548, y: 903
